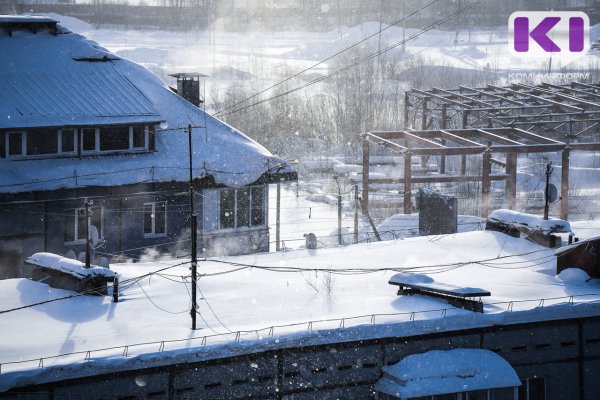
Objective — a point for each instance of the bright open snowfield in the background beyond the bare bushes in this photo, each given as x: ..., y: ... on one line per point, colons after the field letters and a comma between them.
x: 232, y: 58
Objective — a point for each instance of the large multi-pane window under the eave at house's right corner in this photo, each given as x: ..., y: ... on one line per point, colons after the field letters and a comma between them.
x: 242, y: 207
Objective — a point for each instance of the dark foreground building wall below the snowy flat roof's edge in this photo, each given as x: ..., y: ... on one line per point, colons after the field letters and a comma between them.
x: 349, y: 370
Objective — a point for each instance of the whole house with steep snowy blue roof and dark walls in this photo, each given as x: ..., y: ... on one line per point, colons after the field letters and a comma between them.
x: 80, y: 125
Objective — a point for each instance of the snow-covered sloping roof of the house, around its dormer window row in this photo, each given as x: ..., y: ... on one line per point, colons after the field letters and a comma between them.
x: 49, y: 80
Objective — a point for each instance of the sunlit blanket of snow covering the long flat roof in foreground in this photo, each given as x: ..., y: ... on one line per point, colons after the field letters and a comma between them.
x: 286, y: 290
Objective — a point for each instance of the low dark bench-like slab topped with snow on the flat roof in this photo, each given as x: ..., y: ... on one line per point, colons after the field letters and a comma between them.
x: 460, y: 297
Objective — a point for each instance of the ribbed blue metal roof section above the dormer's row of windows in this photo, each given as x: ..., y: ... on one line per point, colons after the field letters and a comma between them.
x: 69, y: 92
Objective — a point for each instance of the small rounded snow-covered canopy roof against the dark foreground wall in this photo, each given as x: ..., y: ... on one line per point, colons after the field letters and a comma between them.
x: 446, y: 371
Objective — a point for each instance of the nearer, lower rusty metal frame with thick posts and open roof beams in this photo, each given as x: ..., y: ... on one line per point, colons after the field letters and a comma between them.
x: 464, y: 142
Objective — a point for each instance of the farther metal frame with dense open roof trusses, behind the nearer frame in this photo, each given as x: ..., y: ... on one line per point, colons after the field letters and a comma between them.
x: 568, y: 112
